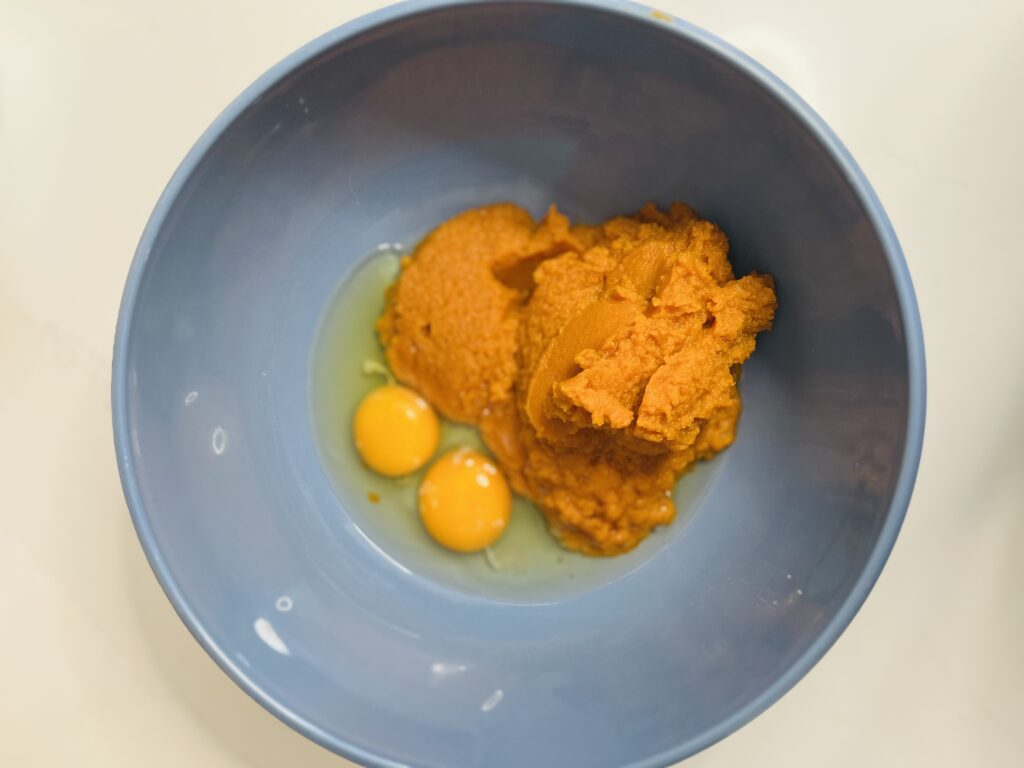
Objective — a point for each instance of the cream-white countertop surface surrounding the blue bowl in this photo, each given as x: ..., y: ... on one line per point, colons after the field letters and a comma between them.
x: 99, y: 104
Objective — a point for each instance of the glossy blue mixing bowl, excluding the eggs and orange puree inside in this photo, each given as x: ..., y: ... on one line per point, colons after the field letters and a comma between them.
x: 379, y: 131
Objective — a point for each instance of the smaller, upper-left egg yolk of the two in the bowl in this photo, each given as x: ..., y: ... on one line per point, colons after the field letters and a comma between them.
x: 396, y: 431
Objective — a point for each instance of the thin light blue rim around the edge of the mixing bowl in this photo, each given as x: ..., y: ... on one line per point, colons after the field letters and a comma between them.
x: 628, y: 11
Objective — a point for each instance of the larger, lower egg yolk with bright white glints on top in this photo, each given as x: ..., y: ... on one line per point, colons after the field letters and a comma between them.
x: 464, y: 501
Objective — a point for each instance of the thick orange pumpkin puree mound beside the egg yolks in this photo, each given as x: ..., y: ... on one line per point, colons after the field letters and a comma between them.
x: 600, y: 363
